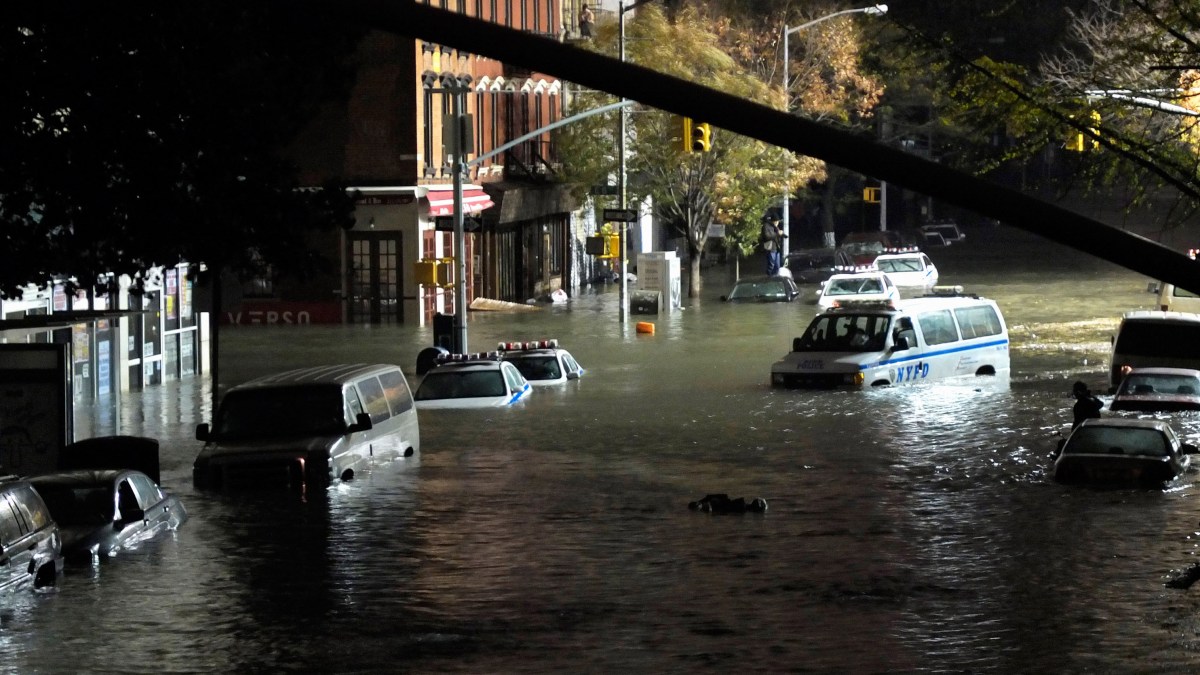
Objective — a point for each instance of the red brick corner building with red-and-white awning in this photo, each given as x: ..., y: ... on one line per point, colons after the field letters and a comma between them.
x: 393, y: 144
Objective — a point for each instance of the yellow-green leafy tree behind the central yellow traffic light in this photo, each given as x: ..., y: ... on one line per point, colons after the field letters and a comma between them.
x: 734, y: 184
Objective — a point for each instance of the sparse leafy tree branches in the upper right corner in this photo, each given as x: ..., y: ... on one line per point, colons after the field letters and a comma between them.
x: 1137, y: 67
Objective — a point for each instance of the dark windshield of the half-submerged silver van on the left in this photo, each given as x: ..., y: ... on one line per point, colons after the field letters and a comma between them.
x: 275, y: 413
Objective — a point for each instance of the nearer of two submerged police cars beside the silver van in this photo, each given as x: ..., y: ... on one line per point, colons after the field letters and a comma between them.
x: 472, y: 381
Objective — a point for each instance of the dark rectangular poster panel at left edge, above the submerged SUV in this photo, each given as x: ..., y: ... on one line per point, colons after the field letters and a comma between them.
x: 37, y: 416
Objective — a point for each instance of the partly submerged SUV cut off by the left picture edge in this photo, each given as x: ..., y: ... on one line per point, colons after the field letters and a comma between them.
x: 31, y: 545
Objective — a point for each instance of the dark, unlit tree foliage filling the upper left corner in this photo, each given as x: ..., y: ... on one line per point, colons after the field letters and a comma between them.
x: 152, y: 134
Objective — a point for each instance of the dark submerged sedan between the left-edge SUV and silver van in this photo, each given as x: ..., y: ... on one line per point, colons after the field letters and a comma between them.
x: 103, y: 512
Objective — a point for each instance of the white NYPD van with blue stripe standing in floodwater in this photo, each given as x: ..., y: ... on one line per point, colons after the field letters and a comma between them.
x: 943, y: 334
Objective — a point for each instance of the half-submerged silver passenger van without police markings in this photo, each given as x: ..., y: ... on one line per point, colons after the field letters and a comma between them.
x: 308, y: 428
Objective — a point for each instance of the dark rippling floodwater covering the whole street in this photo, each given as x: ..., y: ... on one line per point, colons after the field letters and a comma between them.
x: 909, y: 529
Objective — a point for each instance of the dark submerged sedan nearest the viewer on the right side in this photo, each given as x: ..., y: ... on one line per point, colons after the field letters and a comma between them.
x: 1123, y: 452
